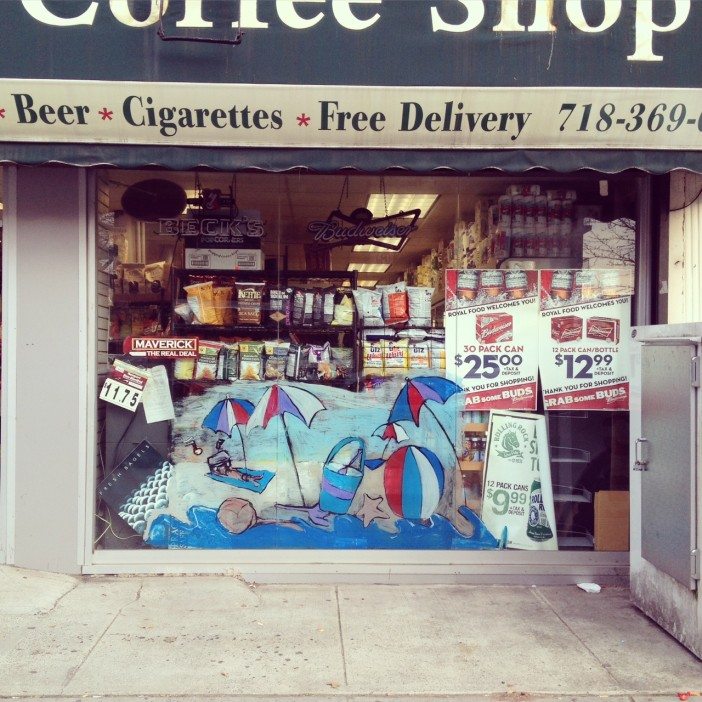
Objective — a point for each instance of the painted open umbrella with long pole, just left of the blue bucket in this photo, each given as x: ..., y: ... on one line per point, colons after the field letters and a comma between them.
x: 279, y: 400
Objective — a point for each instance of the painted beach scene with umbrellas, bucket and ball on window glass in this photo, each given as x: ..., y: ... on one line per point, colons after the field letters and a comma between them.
x: 258, y: 465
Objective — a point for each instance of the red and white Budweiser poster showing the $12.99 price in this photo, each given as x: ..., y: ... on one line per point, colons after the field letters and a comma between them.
x: 584, y: 333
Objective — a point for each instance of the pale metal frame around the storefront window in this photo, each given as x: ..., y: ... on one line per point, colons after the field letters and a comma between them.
x: 287, y: 565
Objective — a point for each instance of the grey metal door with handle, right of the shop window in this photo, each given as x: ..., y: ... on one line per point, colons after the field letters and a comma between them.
x: 665, y: 454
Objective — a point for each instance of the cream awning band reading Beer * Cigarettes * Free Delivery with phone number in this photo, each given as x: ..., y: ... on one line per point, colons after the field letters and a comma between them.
x: 349, y: 116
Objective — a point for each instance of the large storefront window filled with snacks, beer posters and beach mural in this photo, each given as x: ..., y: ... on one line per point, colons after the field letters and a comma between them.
x: 362, y: 362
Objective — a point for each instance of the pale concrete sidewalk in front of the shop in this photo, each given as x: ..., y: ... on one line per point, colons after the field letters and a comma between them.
x: 217, y: 636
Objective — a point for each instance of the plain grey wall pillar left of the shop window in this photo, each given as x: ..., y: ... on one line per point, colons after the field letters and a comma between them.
x: 45, y: 226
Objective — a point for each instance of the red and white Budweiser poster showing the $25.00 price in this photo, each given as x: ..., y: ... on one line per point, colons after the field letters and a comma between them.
x: 491, y: 337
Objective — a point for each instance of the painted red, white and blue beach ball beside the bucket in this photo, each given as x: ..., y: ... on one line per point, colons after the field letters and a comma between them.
x: 414, y: 481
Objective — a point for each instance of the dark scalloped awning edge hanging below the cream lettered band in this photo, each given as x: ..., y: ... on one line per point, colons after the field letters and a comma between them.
x: 361, y: 160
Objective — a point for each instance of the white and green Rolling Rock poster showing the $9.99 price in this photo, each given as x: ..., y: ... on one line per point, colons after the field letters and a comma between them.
x: 517, y: 491
